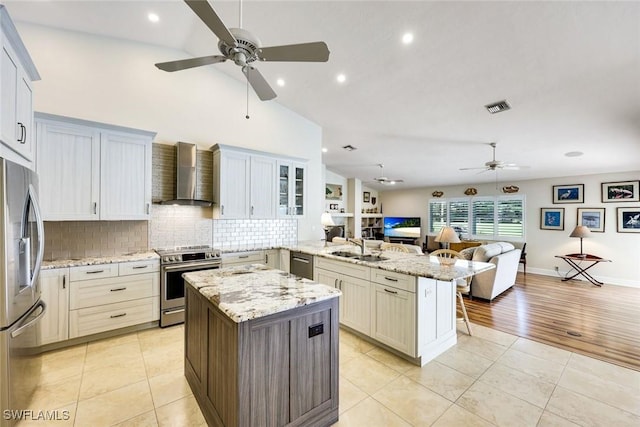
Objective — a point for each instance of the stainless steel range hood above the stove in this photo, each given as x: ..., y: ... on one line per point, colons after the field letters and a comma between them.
x: 186, y: 177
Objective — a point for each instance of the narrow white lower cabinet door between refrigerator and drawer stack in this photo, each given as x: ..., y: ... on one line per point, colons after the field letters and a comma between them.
x: 54, y: 288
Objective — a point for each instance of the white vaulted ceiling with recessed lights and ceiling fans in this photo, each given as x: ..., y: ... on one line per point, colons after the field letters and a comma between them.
x: 569, y: 70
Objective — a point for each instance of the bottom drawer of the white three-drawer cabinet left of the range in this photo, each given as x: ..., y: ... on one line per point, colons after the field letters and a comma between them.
x: 87, y: 321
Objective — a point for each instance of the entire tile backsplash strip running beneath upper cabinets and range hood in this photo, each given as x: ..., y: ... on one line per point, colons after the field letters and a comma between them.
x: 170, y: 226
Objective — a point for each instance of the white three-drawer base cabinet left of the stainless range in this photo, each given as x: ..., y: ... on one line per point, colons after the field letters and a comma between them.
x: 112, y: 296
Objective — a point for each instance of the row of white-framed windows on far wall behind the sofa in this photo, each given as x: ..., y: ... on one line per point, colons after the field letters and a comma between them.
x: 492, y: 218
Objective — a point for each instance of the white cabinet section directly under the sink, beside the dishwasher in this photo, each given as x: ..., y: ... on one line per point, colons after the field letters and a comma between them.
x: 355, y: 303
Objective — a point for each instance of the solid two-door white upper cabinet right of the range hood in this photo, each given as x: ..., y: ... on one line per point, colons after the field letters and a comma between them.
x: 245, y: 183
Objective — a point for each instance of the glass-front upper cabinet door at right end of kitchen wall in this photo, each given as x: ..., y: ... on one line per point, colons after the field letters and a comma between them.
x: 291, y: 189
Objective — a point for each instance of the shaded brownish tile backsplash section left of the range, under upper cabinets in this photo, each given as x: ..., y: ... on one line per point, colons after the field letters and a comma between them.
x: 84, y: 239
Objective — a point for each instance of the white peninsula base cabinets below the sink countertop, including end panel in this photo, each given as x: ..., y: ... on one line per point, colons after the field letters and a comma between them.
x: 414, y: 315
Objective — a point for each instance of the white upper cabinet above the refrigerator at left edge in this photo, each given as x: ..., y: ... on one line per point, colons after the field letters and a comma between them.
x: 16, y: 96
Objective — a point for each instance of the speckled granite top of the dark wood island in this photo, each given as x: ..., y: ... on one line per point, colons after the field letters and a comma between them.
x: 252, y: 291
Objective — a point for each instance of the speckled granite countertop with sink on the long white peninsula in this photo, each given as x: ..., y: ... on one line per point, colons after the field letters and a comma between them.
x: 419, y: 265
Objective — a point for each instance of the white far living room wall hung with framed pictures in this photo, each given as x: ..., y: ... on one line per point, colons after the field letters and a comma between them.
x: 622, y: 248
